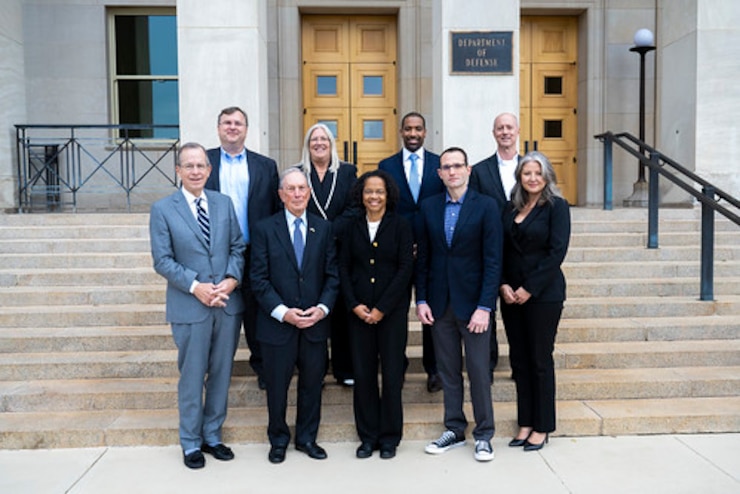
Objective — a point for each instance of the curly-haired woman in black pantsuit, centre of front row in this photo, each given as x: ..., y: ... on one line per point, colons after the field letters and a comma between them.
x: 376, y: 263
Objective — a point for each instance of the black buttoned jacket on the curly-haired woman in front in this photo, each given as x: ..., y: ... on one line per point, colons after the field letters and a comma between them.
x: 377, y: 273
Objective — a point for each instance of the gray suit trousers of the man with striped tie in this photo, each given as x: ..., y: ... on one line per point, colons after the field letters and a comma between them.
x: 205, y: 357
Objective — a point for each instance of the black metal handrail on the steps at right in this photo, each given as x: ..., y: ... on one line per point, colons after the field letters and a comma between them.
x: 710, y: 196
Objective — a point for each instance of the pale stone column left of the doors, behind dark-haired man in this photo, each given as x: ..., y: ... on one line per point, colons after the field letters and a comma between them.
x: 222, y: 61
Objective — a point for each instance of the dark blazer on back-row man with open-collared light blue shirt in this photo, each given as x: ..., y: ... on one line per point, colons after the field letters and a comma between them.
x: 262, y: 200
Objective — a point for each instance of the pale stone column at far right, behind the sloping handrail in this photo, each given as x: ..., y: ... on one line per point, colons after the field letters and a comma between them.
x: 699, y: 97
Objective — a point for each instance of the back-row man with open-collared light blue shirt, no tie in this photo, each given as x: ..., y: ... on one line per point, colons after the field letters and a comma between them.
x: 250, y: 180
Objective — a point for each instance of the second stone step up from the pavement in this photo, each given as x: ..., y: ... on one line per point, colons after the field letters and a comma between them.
x: 161, y: 393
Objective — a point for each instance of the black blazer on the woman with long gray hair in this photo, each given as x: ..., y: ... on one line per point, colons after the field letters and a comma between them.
x: 535, y: 249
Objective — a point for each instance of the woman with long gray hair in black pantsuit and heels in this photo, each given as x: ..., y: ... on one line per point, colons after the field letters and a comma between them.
x: 536, y: 235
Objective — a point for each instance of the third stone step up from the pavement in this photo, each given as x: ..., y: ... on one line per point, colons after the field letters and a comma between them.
x: 162, y: 363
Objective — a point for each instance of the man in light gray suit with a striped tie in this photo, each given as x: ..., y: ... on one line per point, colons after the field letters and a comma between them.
x: 198, y: 247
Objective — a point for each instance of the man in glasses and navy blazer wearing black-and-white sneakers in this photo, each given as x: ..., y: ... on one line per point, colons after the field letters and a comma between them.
x: 457, y: 278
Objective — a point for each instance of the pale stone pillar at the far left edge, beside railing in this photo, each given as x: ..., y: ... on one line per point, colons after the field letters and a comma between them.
x: 12, y: 98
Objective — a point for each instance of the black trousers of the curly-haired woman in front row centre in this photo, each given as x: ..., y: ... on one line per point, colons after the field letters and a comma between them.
x: 379, y: 411
